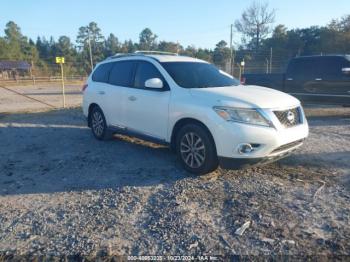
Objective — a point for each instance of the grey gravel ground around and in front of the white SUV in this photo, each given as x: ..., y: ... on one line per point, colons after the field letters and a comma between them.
x: 64, y: 193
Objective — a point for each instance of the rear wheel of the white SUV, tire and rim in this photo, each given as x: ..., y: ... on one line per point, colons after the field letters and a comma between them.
x: 98, y: 124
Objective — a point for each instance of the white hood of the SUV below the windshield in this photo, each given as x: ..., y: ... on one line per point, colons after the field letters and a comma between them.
x: 245, y: 97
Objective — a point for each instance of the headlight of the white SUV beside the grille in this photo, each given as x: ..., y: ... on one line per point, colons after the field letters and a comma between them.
x: 242, y: 115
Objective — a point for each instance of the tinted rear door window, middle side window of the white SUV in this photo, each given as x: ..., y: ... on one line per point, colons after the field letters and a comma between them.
x: 121, y: 73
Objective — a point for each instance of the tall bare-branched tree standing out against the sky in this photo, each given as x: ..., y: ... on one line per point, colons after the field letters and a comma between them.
x: 255, y: 23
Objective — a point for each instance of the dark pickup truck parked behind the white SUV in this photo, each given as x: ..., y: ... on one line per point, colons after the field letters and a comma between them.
x: 312, y: 79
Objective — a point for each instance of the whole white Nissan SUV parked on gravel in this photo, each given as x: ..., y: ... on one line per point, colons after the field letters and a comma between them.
x: 202, y: 113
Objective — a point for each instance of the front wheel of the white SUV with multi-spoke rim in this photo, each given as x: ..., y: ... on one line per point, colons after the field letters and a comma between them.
x: 196, y: 149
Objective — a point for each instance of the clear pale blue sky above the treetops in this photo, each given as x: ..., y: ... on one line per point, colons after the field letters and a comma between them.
x: 201, y: 23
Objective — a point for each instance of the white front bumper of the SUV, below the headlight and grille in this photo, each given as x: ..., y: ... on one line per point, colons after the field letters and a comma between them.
x: 268, y: 142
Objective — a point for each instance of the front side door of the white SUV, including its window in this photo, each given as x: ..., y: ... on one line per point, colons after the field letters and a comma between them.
x: 145, y: 110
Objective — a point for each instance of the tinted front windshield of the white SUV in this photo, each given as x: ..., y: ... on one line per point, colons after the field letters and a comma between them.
x: 198, y: 75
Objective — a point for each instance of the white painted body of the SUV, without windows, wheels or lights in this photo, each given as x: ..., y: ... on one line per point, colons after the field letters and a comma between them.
x: 156, y: 113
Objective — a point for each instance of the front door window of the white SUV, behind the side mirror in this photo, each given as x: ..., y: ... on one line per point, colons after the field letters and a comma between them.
x: 144, y: 72
